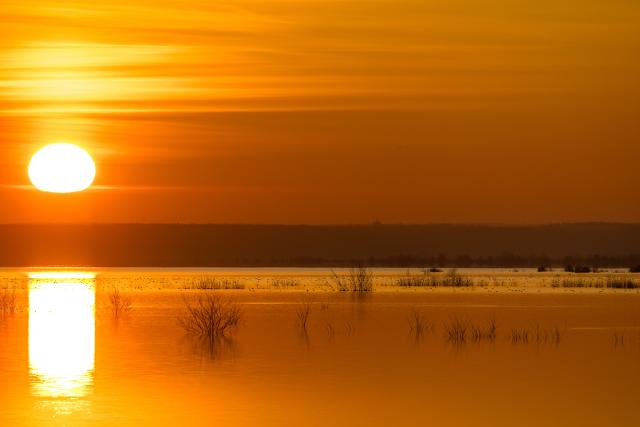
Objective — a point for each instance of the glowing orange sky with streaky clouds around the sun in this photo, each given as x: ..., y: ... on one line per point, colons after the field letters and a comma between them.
x: 331, y: 111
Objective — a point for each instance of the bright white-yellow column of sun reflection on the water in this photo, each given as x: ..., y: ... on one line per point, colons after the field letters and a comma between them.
x: 61, y: 334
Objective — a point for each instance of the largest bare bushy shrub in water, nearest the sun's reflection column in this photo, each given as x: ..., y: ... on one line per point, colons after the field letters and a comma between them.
x: 210, y: 316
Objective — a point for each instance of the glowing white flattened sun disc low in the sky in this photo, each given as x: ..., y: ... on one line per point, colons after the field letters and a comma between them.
x: 62, y: 168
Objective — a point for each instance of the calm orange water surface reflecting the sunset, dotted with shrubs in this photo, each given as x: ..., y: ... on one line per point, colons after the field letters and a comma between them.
x: 474, y: 347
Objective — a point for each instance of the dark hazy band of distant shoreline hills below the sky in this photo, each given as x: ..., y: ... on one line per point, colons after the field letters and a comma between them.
x: 205, y: 245
